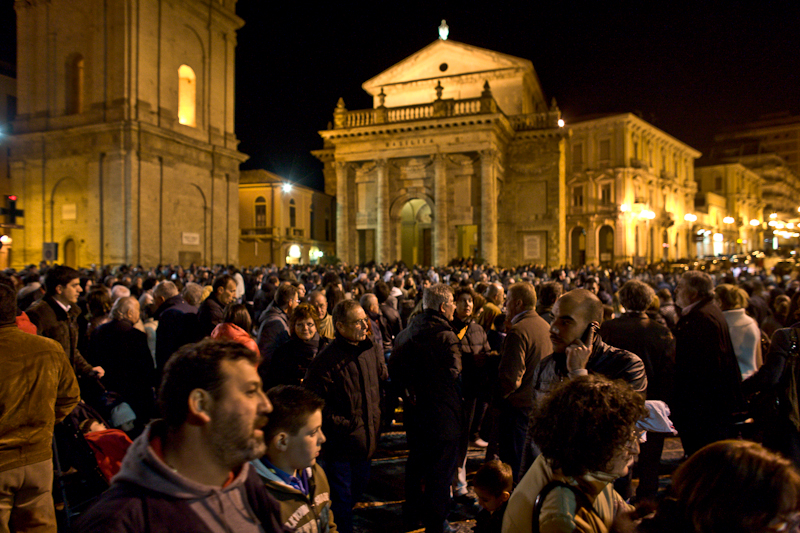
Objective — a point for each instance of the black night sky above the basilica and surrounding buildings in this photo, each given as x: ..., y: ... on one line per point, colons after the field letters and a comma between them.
x: 691, y: 69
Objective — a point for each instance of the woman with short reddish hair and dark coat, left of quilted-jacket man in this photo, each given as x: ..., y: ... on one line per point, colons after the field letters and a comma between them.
x: 291, y: 359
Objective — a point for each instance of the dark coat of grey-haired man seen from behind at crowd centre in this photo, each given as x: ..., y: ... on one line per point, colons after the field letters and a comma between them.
x: 426, y: 362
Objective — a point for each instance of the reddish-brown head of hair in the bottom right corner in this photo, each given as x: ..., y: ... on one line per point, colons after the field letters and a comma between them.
x: 730, y: 486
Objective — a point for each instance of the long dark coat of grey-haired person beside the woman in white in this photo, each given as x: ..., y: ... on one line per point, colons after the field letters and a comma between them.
x: 707, y: 377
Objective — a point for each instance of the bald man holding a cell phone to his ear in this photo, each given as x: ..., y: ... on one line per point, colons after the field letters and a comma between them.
x: 577, y: 351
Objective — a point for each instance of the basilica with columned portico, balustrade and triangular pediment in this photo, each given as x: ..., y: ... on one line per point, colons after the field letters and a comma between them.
x: 460, y: 156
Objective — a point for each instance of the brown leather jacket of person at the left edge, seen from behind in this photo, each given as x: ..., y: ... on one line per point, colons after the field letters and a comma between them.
x: 30, y: 407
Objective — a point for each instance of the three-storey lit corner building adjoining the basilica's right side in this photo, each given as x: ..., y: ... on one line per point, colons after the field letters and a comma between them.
x: 629, y: 188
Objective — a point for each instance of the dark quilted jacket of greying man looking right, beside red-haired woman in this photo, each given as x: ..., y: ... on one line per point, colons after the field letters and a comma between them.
x: 347, y: 376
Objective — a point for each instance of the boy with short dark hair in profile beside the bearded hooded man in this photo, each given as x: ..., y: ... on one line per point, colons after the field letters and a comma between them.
x: 289, y: 468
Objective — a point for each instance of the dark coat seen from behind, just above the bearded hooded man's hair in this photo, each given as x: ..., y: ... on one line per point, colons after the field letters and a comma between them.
x: 177, y: 326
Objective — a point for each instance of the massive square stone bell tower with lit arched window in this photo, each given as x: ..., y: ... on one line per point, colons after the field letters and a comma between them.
x: 124, y: 148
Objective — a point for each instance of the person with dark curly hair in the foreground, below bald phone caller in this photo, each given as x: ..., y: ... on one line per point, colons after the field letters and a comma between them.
x: 586, y: 430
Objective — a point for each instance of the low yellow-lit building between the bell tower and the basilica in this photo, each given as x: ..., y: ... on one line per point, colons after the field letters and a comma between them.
x: 283, y: 223
